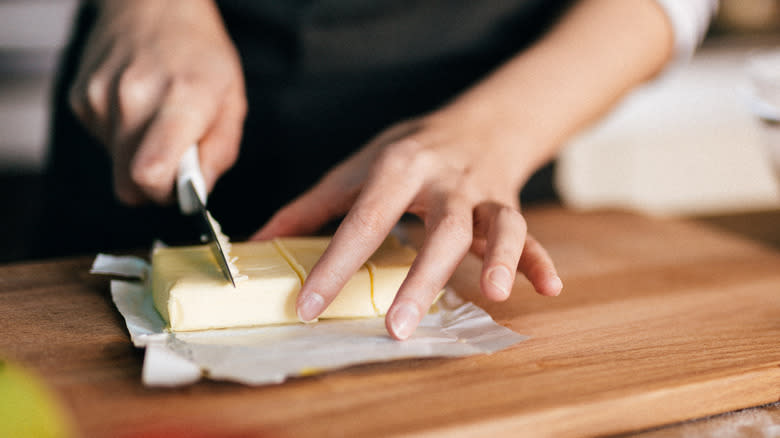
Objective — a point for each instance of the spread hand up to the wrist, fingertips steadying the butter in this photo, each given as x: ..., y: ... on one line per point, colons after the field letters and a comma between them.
x: 461, y: 175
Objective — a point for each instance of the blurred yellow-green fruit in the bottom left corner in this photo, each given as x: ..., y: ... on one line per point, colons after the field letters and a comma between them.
x: 27, y: 407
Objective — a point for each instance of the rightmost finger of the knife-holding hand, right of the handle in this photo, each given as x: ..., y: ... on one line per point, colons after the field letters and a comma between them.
x: 219, y: 147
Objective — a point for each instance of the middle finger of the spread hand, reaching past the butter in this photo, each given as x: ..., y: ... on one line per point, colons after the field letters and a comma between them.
x: 448, y: 241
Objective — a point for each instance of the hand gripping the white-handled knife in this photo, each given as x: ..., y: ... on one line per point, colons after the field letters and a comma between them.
x: 155, y: 78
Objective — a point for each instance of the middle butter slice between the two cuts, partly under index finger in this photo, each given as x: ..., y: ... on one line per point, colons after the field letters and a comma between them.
x: 354, y: 300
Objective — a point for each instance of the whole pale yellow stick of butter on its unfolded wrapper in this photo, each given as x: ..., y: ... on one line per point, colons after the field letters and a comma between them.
x: 191, y: 294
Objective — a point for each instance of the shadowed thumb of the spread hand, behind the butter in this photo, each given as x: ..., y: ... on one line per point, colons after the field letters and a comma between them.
x: 328, y: 199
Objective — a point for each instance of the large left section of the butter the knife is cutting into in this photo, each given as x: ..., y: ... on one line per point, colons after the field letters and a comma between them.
x: 191, y: 294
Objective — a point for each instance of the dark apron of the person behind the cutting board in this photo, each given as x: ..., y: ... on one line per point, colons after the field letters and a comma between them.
x: 323, y: 77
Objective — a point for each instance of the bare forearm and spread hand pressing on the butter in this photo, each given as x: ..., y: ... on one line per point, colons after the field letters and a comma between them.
x: 460, y: 168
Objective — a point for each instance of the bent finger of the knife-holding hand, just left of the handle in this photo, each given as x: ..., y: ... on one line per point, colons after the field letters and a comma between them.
x: 181, y: 120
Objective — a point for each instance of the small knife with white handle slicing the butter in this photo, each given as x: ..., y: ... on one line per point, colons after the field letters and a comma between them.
x: 191, y: 191
